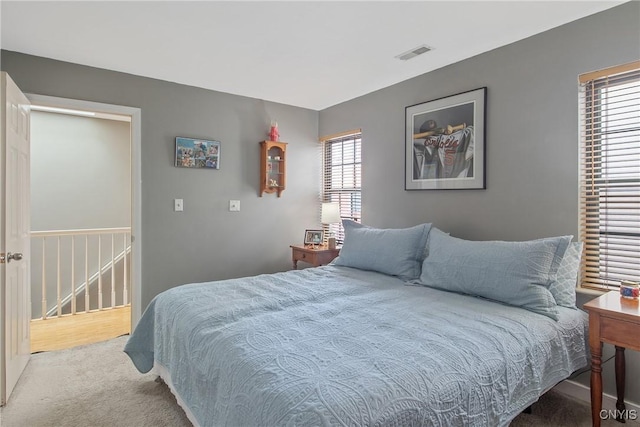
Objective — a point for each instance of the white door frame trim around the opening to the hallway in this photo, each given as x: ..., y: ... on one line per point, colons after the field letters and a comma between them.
x: 136, y: 179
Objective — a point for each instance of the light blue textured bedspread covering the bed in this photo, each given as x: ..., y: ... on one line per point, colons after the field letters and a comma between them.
x: 340, y: 346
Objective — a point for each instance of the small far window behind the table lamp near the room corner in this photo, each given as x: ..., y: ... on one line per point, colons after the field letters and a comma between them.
x: 341, y: 177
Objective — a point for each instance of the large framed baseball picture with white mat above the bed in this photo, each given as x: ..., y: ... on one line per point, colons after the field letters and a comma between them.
x: 445, y: 142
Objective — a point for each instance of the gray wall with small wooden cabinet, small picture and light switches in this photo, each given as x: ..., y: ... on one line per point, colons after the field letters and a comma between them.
x: 206, y: 241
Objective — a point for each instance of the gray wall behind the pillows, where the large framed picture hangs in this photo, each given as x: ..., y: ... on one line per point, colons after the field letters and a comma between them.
x: 532, y: 139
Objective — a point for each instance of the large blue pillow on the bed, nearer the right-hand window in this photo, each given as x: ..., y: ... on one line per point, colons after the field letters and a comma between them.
x: 515, y: 273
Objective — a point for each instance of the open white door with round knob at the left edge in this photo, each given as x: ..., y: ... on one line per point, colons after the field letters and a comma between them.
x: 15, y: 227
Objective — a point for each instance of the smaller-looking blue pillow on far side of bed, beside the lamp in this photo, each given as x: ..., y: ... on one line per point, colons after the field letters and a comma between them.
x: 393, y: 251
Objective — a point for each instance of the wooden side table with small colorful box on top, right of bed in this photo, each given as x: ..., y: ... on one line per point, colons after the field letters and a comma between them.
x: 614, y: 320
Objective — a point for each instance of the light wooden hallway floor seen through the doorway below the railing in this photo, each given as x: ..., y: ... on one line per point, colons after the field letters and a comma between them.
x: 58, y: 333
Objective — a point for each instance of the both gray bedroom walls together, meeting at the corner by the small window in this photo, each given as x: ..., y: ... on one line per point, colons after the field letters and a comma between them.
x: 531, y: 154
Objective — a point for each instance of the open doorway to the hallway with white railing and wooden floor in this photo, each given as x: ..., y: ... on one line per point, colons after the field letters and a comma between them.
x: 93, y: 275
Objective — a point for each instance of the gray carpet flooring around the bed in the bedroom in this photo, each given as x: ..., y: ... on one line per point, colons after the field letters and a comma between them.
x: 97, y: 385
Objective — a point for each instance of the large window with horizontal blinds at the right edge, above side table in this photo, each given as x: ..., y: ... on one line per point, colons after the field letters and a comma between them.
x: 610, y: 175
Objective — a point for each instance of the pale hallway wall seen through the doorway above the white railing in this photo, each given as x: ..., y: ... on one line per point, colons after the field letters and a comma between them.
x: 80, y: 172
